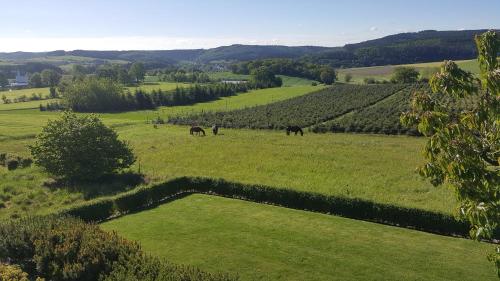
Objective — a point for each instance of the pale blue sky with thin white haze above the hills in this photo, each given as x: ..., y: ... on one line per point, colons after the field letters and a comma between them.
x: 47, y: 25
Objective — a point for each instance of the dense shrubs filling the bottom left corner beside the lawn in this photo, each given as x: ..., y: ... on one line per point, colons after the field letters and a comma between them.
x: 63, y: 248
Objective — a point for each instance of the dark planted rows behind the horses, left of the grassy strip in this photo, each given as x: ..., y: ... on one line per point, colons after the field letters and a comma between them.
x: 303, y: 111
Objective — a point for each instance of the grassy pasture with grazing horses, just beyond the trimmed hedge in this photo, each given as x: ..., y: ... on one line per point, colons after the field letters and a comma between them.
x: 372, y: 167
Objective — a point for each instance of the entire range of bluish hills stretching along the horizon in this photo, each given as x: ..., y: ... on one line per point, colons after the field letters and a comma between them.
x: 403, y: 48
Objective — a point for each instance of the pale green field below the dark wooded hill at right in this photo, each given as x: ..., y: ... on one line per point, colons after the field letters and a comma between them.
x: 385, y: 72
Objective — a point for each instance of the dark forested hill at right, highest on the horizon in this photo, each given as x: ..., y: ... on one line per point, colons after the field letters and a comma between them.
x: 403, y: 48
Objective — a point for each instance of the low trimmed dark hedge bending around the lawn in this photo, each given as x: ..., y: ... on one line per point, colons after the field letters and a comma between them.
x: 354, y: 208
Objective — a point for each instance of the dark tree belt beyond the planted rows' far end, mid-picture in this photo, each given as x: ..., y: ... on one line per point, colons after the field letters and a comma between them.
x: 288, y: 67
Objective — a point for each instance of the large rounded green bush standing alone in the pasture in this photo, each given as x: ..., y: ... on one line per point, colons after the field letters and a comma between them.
x: 80, y: 148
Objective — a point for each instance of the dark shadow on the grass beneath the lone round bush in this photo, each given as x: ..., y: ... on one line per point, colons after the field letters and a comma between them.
x: 105, y: 186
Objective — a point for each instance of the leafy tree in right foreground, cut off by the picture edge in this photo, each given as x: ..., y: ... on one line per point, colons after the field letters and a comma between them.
x: 463, y: 147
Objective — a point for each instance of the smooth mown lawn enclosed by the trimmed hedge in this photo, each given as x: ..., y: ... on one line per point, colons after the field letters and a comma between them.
x: 262, y: 242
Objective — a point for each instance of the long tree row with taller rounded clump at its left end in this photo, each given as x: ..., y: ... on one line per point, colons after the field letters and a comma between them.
x: 92, y: 94
